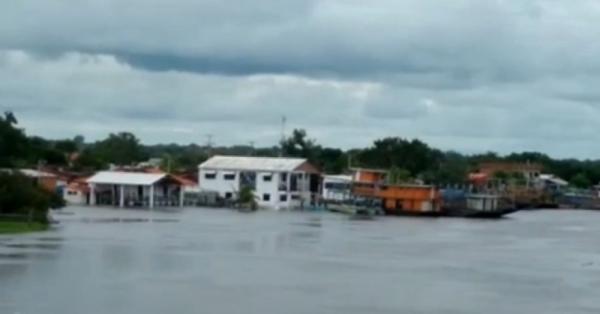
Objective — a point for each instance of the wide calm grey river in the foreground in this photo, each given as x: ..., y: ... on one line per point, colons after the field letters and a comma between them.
x: 99, y: 261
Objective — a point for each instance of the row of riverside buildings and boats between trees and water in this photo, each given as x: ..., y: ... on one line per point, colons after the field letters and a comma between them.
x: 248, y: 183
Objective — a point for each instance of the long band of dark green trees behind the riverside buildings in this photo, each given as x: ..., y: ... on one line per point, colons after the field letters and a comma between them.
x: 408, y: 158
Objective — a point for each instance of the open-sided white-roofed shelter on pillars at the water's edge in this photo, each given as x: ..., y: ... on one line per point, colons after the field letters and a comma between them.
x: 134, y: 189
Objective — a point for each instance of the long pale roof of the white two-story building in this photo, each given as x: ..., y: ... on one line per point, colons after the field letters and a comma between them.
x: 253, y: 163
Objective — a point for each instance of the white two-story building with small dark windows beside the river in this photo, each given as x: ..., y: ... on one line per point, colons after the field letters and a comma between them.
x: 278, y: 183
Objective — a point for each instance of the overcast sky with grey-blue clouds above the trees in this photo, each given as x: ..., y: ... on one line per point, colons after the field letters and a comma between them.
x: 464, y: 75
